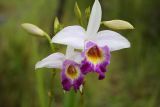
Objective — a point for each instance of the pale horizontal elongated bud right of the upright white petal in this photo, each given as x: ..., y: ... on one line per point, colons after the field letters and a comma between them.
x: 118, y: 24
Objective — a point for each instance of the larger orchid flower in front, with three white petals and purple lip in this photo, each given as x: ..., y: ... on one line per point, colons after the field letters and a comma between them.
x: 96, y: 45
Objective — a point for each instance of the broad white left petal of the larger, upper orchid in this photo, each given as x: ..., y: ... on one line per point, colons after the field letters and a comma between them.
x: 72, y: 35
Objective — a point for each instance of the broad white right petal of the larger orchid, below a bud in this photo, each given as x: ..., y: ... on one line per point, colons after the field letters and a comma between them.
x: 112, y: 39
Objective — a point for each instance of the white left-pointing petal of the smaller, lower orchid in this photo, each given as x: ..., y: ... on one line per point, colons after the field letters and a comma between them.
x: 52, y: 61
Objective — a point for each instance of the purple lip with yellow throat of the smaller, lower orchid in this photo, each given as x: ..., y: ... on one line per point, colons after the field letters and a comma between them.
x: 71, y: 75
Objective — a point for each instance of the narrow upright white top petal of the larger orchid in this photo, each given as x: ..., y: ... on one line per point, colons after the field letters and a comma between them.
x: 95, y: 19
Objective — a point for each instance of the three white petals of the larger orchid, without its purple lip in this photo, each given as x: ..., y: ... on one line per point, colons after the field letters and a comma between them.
x: 76, y: 35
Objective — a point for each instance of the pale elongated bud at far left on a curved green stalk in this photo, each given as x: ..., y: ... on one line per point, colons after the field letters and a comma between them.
x: 33, y: 29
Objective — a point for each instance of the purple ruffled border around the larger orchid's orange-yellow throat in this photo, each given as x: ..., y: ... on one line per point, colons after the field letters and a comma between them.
x: 100, y: 67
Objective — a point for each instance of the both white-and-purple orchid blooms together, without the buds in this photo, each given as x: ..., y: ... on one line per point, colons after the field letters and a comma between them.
x: 95, y: 56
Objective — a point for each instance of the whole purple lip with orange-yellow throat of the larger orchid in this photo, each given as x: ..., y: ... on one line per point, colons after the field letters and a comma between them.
x: 96, y: 59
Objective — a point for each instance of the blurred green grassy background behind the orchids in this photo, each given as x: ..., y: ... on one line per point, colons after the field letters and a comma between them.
x: 133, y: 79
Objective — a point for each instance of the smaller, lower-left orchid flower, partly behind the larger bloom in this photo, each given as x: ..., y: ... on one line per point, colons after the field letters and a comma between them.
x: 71, y: 74
